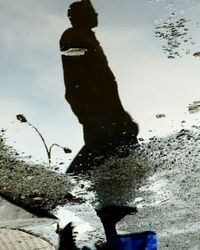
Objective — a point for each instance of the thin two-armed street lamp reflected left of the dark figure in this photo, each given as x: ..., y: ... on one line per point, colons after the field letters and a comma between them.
x: 23, y: 119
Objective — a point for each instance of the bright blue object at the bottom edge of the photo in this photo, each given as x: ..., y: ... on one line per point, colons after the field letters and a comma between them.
x: 135, y: 241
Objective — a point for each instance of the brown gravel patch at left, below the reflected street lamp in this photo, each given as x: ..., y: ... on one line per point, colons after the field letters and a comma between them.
x: 31, y: 186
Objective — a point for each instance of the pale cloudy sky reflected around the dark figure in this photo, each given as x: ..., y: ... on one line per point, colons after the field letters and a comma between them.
x: 149, y: 81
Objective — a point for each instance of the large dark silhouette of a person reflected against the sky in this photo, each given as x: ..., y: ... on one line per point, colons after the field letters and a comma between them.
x: 92, y: 92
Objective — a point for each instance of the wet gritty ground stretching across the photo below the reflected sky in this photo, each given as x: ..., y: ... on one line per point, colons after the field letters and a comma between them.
x: 160, y: 178
